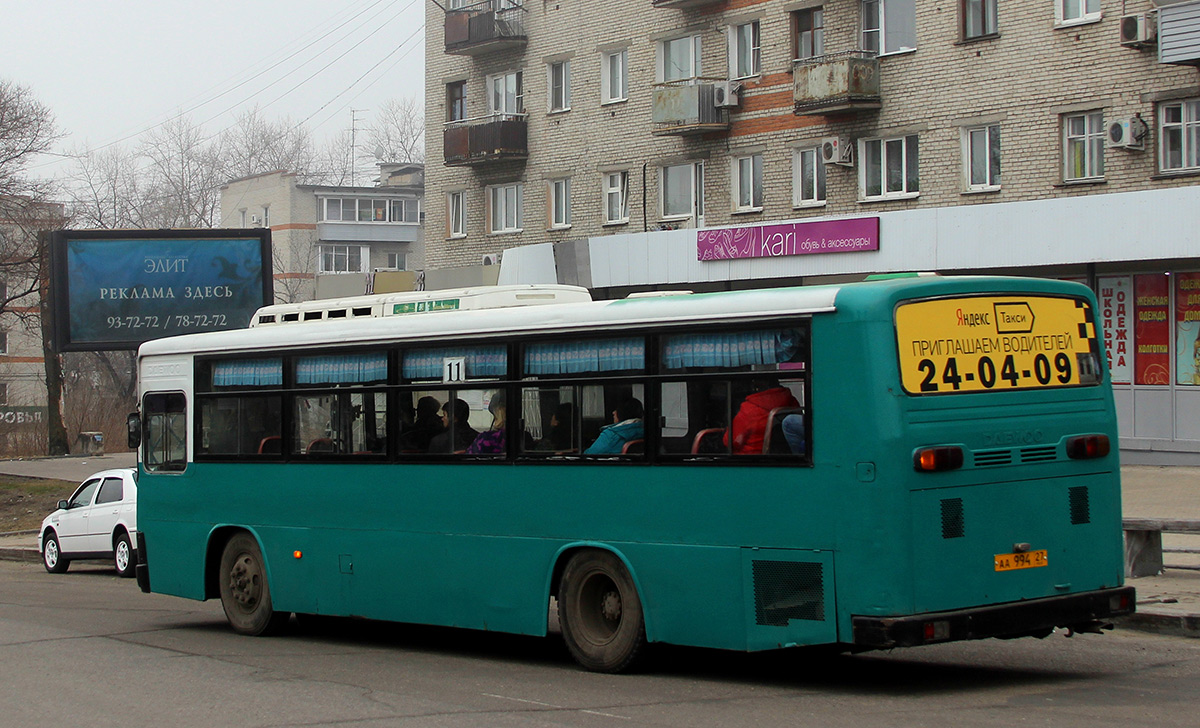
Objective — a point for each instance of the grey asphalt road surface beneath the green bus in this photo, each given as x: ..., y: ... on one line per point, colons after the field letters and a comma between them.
x: 89, y: 649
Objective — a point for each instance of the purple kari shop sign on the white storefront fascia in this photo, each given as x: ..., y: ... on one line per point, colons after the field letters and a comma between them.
x: 790, y: 239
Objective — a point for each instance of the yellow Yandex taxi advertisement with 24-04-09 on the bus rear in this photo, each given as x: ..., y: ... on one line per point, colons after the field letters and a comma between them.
x: 988, y: 344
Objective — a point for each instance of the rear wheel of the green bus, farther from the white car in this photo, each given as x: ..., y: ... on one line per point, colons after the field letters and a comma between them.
x: 601, y: 613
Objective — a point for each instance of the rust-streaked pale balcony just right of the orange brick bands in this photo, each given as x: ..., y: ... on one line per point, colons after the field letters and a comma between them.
x: 841, y: 83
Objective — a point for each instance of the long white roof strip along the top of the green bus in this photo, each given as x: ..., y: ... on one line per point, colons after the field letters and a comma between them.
x: 589, y: 316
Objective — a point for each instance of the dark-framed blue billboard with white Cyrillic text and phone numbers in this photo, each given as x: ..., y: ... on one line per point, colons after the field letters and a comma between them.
x: 115, y: 290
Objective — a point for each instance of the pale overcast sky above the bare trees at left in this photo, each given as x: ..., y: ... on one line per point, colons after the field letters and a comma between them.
x: 113, y: 69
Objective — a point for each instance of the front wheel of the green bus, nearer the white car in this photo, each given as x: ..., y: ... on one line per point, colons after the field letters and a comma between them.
x: 245, y: 593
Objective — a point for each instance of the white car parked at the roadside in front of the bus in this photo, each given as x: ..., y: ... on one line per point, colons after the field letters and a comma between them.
x: 100, y: 521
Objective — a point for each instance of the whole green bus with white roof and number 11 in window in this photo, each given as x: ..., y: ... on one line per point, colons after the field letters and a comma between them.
x: 889, y: 464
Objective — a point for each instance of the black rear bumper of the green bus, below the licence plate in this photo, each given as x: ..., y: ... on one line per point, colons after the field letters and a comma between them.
x: 1079, y: 612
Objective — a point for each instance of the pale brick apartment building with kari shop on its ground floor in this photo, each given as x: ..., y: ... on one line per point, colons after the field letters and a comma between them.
x: 658, y: 143
